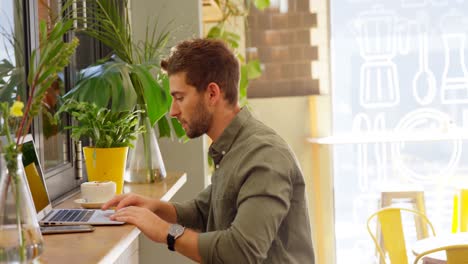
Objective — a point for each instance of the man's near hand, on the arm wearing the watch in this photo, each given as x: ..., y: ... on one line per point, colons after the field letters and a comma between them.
x: 149, y: 223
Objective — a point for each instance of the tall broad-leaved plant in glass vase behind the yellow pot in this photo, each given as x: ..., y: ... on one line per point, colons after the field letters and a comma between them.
x: 130, y: 78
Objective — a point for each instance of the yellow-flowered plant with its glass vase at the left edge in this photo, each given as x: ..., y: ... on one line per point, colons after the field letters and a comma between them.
x: 18, y: 221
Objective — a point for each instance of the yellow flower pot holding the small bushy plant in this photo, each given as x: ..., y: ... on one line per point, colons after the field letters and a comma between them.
x: 106, y: 164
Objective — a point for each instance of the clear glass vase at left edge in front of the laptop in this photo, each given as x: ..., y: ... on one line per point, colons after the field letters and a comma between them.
x: 20, y: 237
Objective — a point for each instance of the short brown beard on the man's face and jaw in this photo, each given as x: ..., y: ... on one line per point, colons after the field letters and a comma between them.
x: 200, y: 122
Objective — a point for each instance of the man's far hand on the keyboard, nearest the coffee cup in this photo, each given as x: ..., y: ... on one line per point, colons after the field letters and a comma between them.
x: 130, y: 199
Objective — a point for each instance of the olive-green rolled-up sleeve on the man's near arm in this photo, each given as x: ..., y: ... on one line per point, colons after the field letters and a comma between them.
x: 262, y: 204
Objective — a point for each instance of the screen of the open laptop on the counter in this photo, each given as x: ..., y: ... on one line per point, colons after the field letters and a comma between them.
x: 33, y: 172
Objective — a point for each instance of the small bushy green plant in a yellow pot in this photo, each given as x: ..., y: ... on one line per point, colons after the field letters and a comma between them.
x: 111, y: 134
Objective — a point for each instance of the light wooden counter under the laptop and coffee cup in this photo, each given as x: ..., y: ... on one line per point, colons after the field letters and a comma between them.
x: 107, y: 244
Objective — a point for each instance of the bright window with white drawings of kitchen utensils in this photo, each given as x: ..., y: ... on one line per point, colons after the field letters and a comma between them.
x: 398, y: 70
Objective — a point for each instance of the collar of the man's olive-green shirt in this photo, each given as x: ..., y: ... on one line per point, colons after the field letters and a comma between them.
x: 223, y: 144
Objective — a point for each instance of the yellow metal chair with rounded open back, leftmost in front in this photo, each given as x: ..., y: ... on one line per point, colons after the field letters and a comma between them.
x: 391, y: 236
